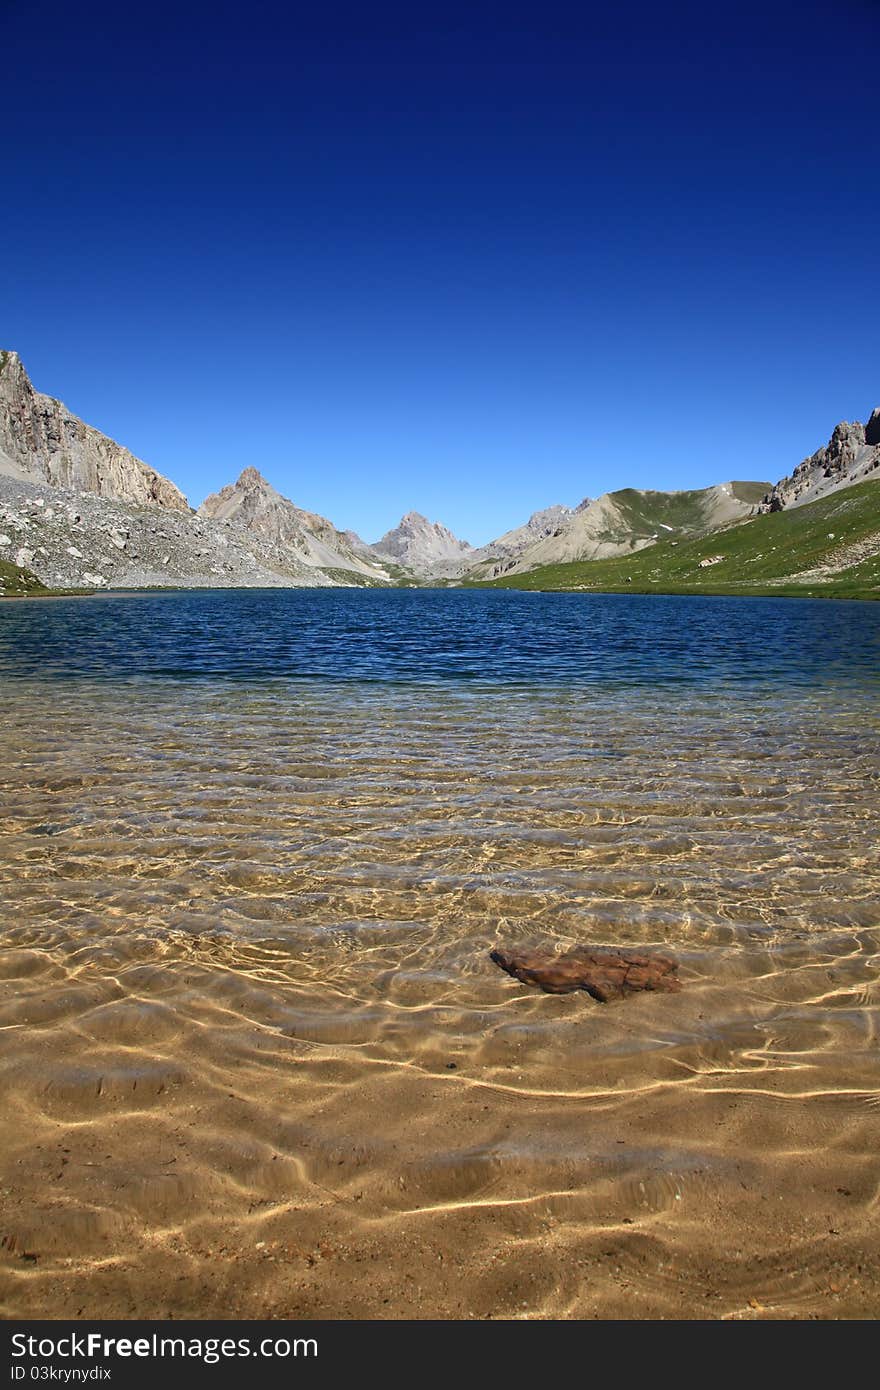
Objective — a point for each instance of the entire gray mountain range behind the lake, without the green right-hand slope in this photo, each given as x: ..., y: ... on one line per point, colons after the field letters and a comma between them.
x: 77, y: 509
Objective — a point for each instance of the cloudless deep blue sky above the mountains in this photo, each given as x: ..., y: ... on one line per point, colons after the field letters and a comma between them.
x: 471, y: 261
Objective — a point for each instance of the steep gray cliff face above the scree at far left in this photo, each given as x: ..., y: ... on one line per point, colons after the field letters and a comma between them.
x: 42, y: 443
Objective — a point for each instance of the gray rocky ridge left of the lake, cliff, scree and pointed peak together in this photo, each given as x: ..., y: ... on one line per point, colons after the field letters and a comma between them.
x: 79, y: 511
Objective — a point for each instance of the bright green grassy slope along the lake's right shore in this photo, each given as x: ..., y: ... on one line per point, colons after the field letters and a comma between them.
x: 831, y: 548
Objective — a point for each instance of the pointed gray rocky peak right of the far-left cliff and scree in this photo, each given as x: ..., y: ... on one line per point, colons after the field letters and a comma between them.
x: 295, y: 540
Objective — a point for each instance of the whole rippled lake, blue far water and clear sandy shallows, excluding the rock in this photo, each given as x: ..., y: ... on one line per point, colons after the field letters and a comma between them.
x: 256, y: 850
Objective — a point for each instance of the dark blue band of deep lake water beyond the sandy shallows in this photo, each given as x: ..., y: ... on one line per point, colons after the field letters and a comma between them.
x: 457, y: 636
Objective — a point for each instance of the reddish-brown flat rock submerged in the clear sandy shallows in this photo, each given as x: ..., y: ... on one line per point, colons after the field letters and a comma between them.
x: 605, y: 974
